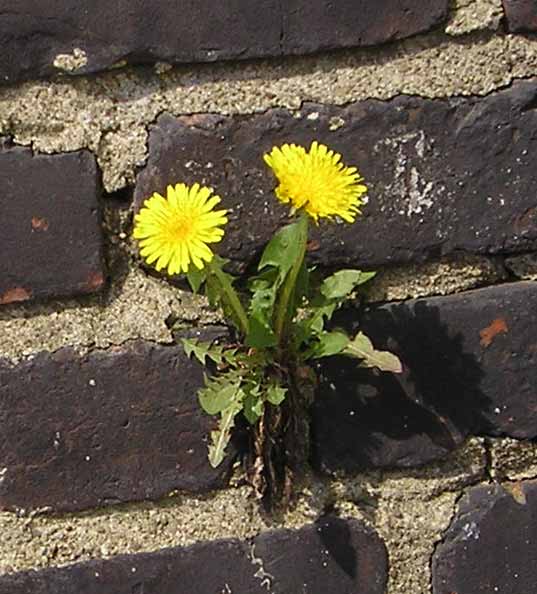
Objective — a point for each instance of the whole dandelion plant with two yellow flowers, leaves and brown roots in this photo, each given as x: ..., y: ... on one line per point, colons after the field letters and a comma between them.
x: 279, y: 321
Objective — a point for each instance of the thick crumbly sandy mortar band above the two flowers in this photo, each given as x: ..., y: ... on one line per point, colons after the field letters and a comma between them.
x: 110, y: 114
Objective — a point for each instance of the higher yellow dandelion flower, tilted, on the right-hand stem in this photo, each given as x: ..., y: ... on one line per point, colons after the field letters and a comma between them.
x: 316, y: 181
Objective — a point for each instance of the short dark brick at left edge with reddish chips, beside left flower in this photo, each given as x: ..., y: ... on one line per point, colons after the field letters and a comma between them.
x: 50, y: 225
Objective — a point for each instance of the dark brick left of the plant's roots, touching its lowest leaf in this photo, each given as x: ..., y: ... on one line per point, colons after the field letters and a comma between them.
x: 116, y: 425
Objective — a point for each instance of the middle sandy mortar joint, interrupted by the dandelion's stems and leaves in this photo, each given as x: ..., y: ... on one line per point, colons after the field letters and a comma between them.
x: 139, y: 305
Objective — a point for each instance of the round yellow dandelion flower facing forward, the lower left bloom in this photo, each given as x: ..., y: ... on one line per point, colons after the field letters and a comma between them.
x: 173, y: 232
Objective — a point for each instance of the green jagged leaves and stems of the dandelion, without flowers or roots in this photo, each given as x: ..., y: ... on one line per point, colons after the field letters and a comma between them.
x: 282, y: 327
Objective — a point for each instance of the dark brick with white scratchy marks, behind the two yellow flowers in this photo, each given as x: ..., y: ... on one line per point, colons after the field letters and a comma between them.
x: 445, y: 176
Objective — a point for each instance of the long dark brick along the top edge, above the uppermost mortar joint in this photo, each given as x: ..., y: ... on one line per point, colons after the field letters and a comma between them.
x: 33, y: 34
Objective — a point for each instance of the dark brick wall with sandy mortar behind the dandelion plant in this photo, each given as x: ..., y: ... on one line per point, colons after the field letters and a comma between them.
x: 423, y: 483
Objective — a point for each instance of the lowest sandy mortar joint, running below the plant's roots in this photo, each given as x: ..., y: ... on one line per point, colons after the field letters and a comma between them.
x: 410, y: 510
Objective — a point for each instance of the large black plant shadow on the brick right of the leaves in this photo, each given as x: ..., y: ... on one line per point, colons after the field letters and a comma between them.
x: 363, y: 419
